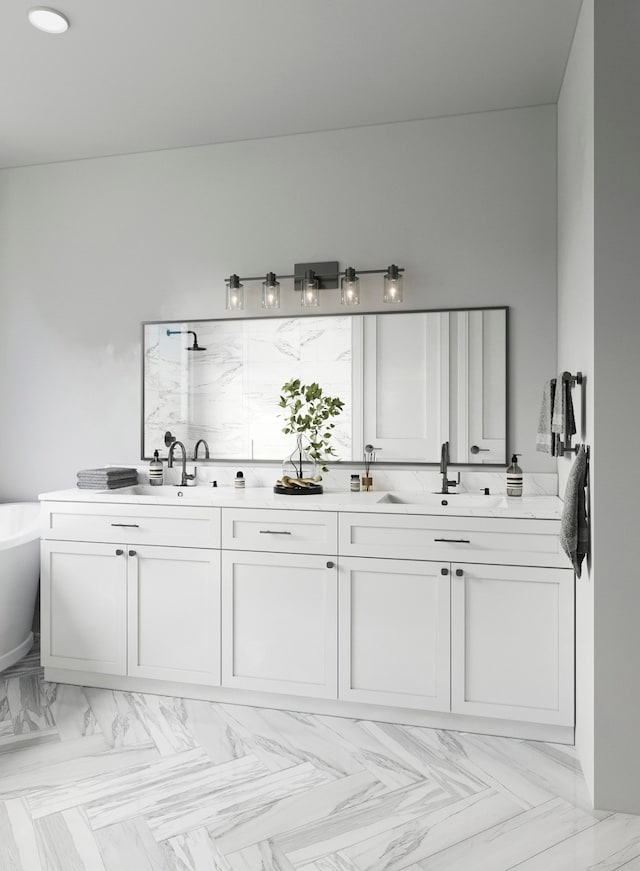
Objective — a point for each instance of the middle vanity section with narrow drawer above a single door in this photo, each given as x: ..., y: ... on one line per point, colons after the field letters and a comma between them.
x: 280, y: 601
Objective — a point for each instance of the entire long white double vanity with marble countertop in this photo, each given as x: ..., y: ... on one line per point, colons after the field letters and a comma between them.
x: 385, y: 606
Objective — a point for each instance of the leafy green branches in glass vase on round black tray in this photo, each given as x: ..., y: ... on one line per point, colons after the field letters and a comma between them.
x: 308, y: 414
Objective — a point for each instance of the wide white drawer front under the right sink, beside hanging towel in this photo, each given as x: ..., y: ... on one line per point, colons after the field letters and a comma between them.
x: 477, y: 539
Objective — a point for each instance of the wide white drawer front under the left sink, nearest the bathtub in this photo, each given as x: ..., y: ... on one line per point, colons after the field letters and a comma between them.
x: 155, y: 524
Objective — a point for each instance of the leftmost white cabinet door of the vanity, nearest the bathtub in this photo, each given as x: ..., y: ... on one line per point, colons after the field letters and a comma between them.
x: 84, y: 606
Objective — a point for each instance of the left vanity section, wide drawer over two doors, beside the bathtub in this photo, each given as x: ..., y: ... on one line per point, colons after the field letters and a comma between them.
x: 131, y: 605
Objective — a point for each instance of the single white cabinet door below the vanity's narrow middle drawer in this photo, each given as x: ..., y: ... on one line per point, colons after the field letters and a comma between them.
x: 279, y: 623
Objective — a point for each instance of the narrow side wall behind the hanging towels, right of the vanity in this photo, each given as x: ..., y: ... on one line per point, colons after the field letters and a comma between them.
x: 575, y: 322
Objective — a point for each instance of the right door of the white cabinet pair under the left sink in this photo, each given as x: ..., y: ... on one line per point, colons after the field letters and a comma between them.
x: 174, y: 614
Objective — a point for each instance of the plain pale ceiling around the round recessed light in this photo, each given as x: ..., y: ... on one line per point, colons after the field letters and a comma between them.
x: 140, y: 75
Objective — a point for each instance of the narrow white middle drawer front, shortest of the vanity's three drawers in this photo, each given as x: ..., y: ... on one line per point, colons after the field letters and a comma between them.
x: 280, y: 531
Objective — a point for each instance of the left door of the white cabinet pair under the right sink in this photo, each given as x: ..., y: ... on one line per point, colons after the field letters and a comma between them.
x: 394, y: 633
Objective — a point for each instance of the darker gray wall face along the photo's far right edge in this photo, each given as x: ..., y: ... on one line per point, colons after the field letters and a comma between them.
x: 617, y: 415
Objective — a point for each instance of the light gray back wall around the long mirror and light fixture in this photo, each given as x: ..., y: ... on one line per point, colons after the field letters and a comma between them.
x: 90, y: 248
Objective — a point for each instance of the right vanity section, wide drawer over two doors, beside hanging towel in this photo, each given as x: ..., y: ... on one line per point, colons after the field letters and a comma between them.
x: 511, y: 614
